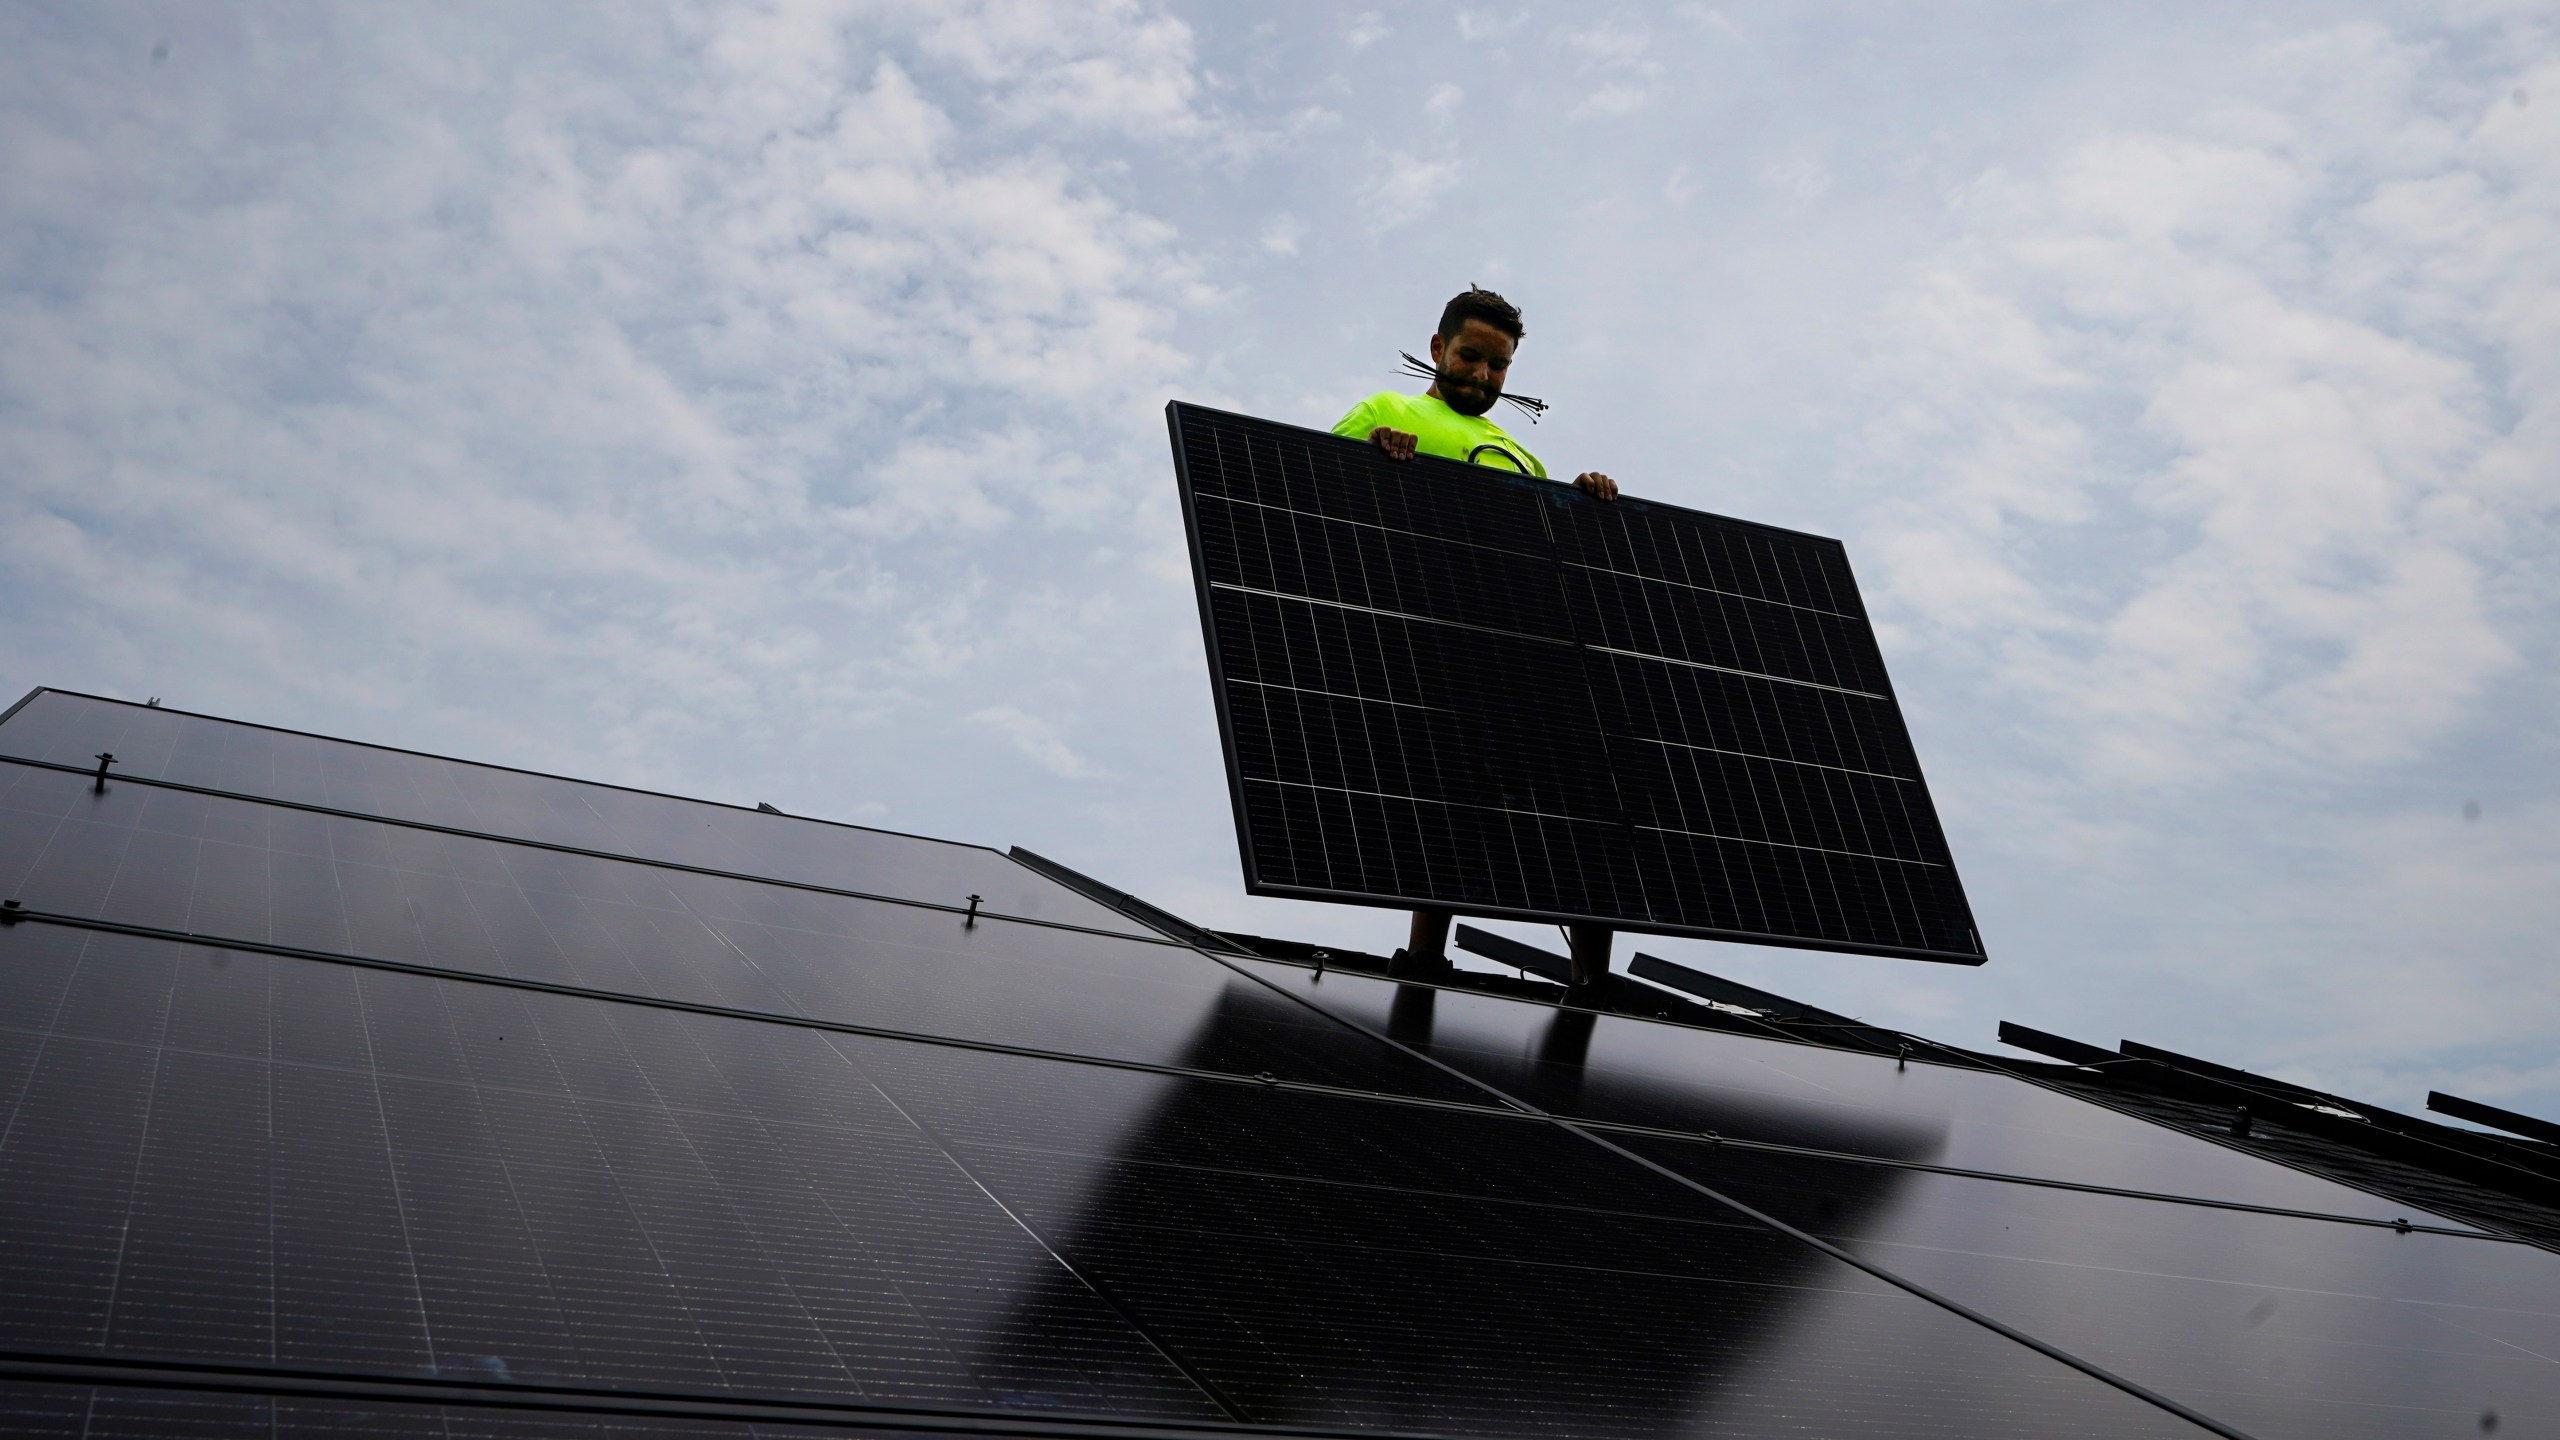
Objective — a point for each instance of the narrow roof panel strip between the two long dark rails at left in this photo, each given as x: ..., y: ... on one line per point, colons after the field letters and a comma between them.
x: 319, y: 883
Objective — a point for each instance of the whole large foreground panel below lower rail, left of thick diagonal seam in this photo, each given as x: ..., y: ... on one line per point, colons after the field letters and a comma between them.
x: 434, y: 1177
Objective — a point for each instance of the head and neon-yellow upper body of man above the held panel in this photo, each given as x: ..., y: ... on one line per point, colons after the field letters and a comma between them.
x: 1471, y: 357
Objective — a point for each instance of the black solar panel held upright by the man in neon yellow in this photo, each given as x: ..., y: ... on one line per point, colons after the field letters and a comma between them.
x: 1471, y: 691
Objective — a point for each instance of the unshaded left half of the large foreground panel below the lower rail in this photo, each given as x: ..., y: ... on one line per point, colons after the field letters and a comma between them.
x: 431, y: 1177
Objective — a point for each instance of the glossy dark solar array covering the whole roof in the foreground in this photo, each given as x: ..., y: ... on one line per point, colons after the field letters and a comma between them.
x: 337, y: 1121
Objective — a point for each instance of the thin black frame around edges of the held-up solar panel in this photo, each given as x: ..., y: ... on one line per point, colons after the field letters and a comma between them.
x: 1258, y: 883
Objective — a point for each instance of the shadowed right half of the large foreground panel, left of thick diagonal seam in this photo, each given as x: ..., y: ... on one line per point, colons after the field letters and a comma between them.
x: 1463, y: 1275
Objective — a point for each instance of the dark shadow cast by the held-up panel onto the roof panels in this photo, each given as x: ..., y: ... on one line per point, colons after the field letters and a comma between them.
x: 1330, y: 1262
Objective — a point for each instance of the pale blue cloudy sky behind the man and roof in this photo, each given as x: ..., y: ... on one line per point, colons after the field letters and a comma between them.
x: 767, y: 404
